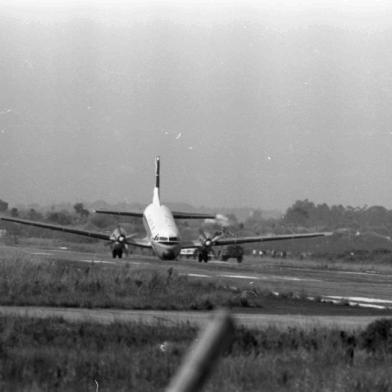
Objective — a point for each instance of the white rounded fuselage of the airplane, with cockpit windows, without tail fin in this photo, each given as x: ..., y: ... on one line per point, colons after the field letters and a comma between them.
x: 162, y: 231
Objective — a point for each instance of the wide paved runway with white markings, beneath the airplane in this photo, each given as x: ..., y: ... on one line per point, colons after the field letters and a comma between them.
x: 271, y: 274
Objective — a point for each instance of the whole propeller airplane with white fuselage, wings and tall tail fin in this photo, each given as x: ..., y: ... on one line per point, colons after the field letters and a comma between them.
x: 163, y: 236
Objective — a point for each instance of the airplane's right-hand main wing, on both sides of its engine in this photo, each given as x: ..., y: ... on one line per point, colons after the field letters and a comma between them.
x: 247, y: 240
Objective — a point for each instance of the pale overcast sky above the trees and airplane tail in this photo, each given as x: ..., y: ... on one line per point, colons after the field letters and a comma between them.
x: 248, y: 103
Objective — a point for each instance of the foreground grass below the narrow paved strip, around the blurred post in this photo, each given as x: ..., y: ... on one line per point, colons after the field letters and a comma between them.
x: 53, y: 355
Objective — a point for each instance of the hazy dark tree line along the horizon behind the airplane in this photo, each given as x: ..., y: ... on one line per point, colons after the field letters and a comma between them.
x: 302, y: 214
